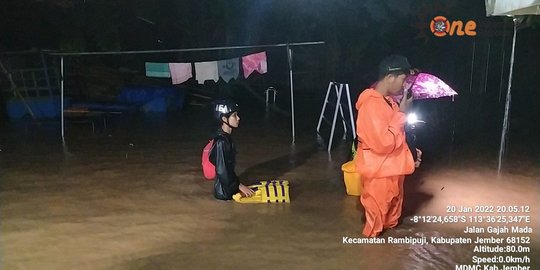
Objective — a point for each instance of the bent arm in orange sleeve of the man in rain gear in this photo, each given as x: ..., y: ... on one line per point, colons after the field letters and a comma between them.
x: 381, y: 134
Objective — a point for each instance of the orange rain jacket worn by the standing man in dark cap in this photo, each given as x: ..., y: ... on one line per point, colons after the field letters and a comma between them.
x: 382, y: 149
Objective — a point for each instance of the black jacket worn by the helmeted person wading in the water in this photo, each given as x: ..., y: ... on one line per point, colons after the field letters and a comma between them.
x: 223, y: 156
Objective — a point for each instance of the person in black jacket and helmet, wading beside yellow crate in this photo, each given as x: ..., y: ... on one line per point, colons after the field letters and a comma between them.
x: 223, y: 153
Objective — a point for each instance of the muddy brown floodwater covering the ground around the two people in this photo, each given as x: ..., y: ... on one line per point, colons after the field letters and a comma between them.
x: 132, y: 196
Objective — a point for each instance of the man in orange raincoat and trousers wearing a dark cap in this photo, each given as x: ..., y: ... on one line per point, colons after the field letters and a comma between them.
x: 383, y: 156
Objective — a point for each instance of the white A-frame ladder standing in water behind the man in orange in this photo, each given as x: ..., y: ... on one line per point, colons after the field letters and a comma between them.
x: 340, y: 90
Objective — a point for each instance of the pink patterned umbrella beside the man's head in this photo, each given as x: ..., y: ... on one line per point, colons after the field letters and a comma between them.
x: 425, y: 85
